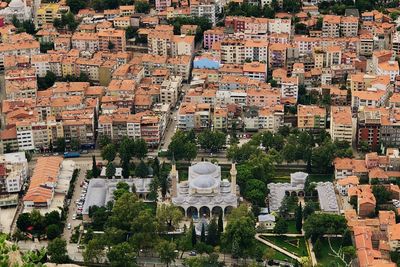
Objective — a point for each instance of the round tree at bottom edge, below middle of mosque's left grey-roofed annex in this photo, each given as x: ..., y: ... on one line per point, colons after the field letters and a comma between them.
x: 122, y: 255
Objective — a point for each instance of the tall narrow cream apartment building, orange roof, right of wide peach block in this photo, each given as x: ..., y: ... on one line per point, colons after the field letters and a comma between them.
x: 341, y: 127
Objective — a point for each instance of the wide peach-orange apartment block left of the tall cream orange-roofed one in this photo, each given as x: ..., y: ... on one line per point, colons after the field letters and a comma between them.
x: 311, y: 117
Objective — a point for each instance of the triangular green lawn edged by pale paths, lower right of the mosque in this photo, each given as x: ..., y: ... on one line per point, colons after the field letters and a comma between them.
x: 296, y: 245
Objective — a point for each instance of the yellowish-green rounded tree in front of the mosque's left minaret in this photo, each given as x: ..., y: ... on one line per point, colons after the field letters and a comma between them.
x: 168, y: 217
